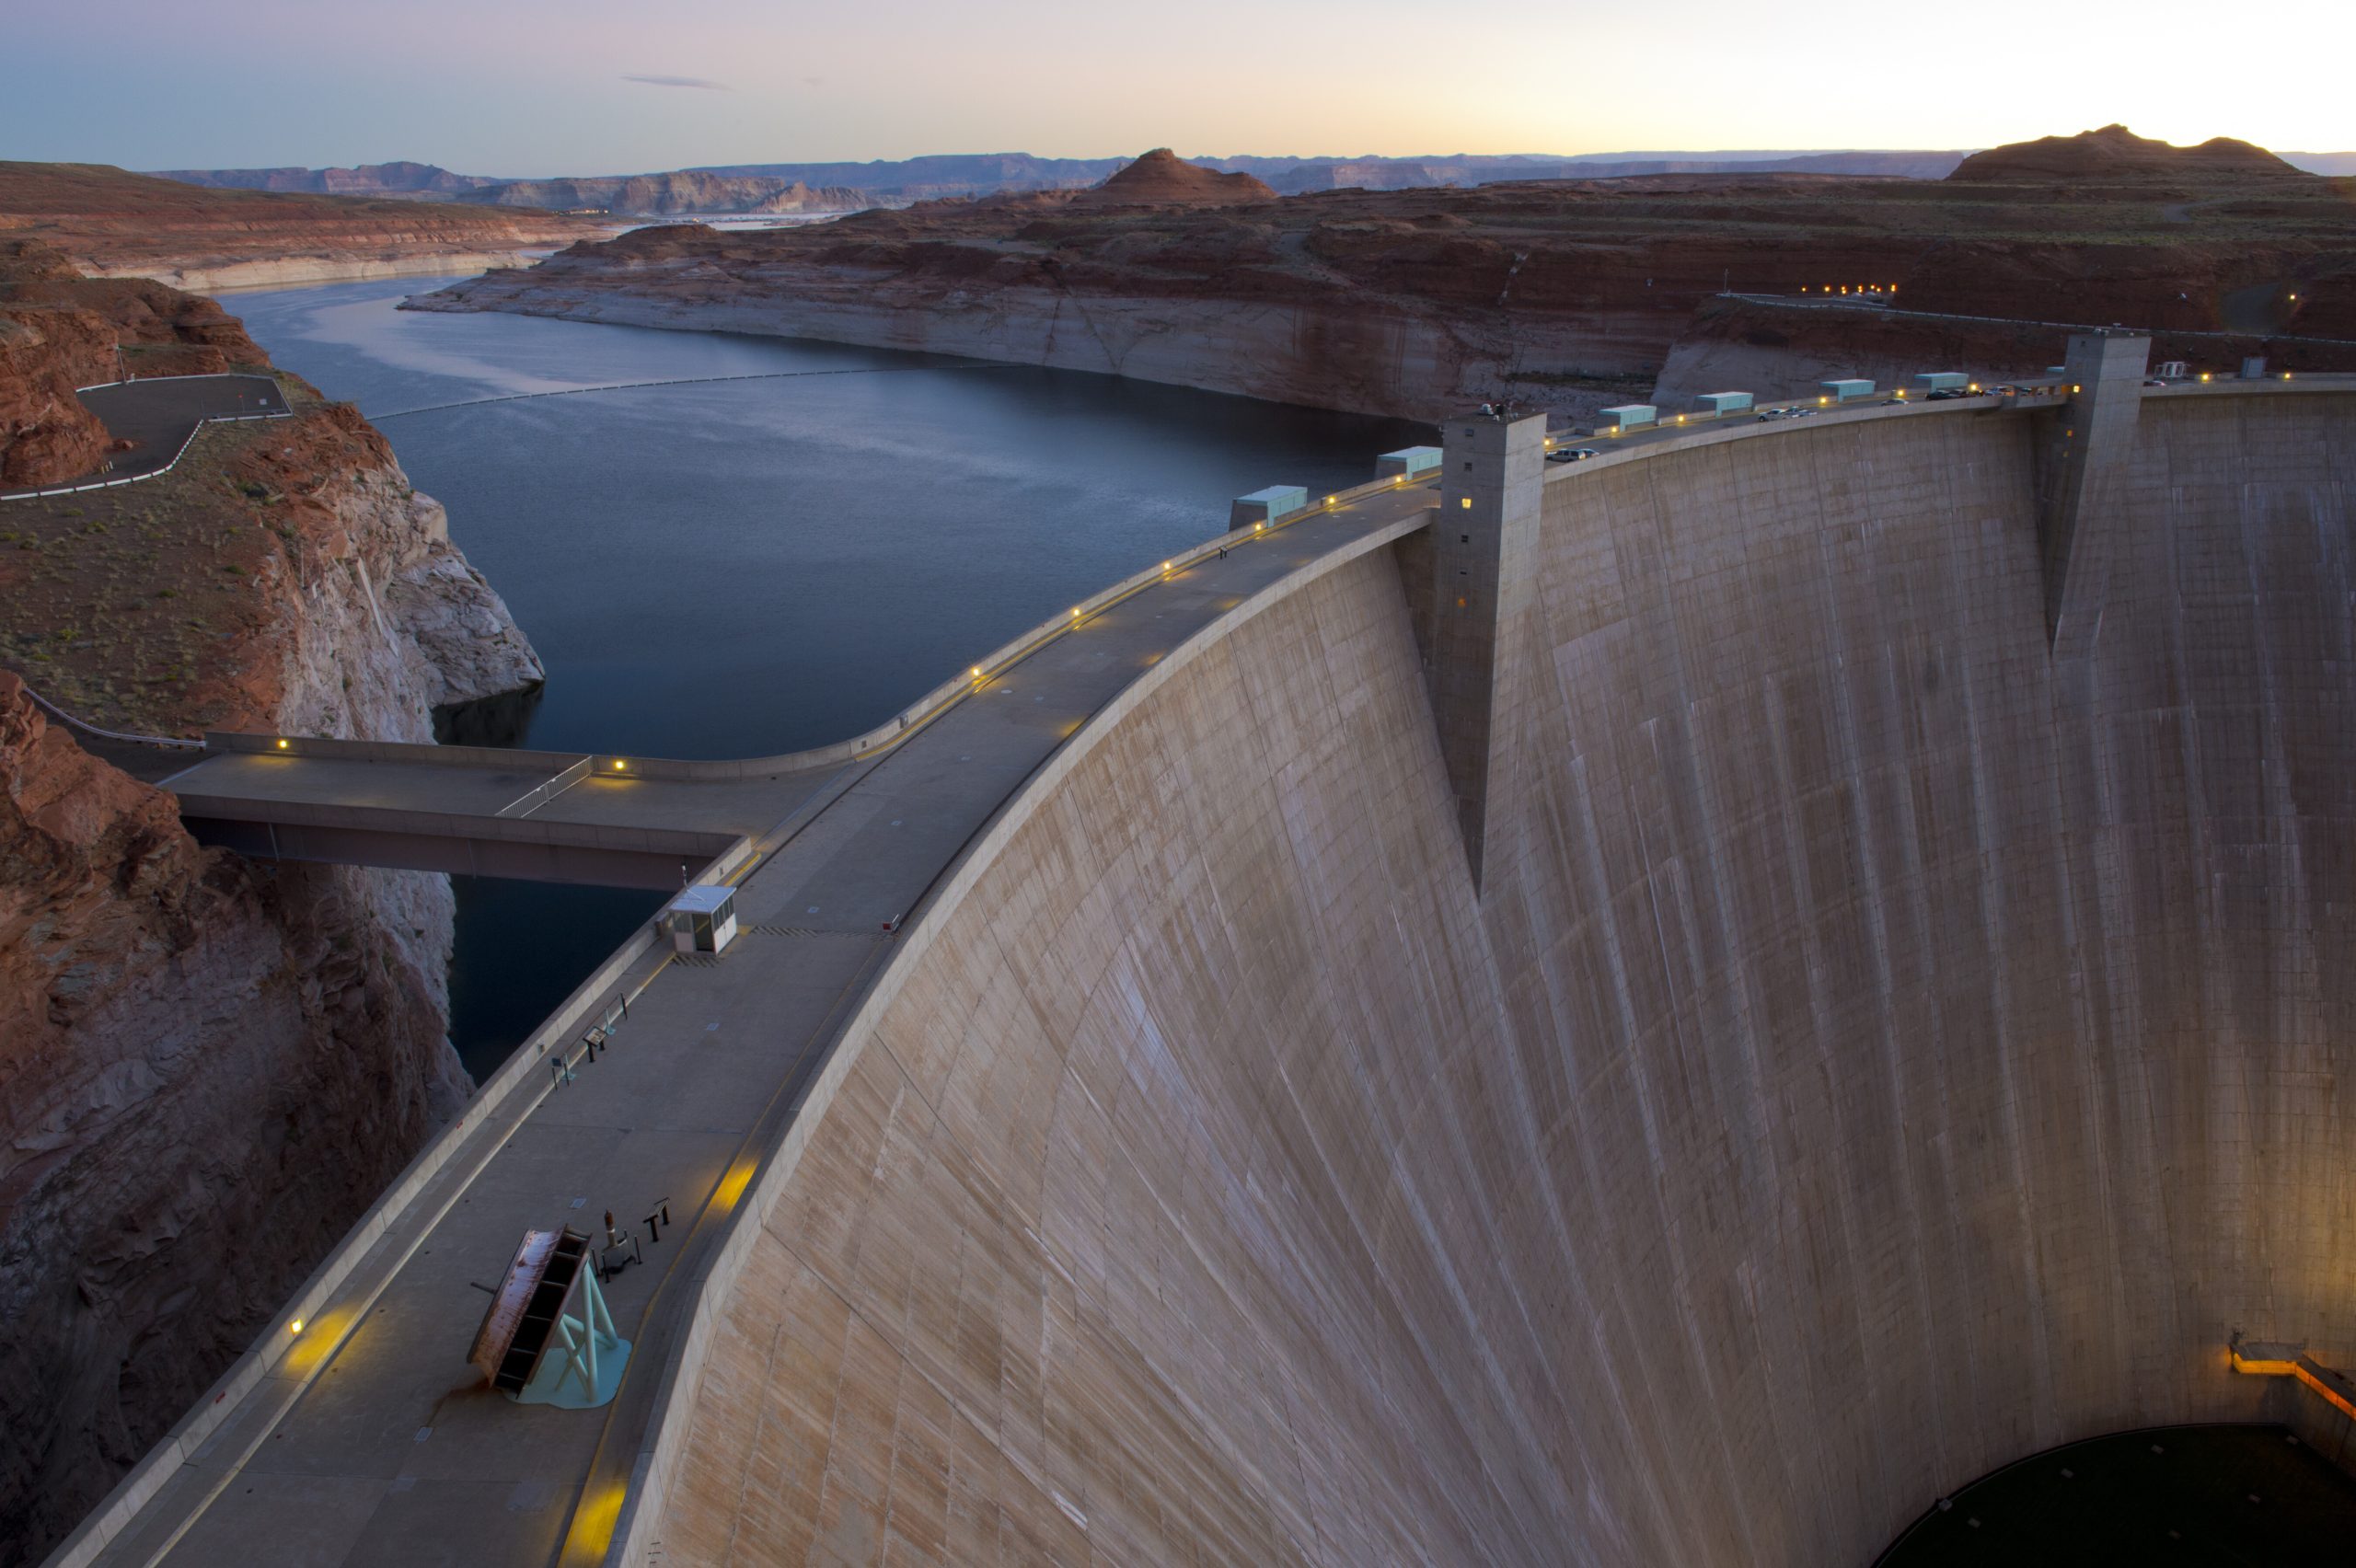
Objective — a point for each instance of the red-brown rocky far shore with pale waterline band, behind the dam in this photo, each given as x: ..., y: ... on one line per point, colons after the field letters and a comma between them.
x: 1558, y: 295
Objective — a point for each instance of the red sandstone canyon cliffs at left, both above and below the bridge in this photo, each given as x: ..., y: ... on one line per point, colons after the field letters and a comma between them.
x: 209, y: 1068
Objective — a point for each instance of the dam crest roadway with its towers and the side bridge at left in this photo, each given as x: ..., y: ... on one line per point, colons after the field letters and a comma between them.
x: 357, y: 1435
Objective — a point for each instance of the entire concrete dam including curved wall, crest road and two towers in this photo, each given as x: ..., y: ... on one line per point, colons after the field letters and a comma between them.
x: 1650, y: 1011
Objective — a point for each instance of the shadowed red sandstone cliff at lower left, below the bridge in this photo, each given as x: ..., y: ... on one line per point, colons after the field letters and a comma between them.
x: 206, y: 1072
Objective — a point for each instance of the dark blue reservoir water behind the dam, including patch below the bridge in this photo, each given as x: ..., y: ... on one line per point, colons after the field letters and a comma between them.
x: 753, y: 566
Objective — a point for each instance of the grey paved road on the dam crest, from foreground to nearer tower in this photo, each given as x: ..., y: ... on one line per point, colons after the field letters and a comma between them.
x: 373, y: 1442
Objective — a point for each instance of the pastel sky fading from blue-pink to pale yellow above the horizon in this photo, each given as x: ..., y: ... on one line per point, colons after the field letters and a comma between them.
x: 609, y: 86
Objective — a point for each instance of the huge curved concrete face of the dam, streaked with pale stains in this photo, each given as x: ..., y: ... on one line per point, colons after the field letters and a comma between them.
x: 1879, y: 1049
